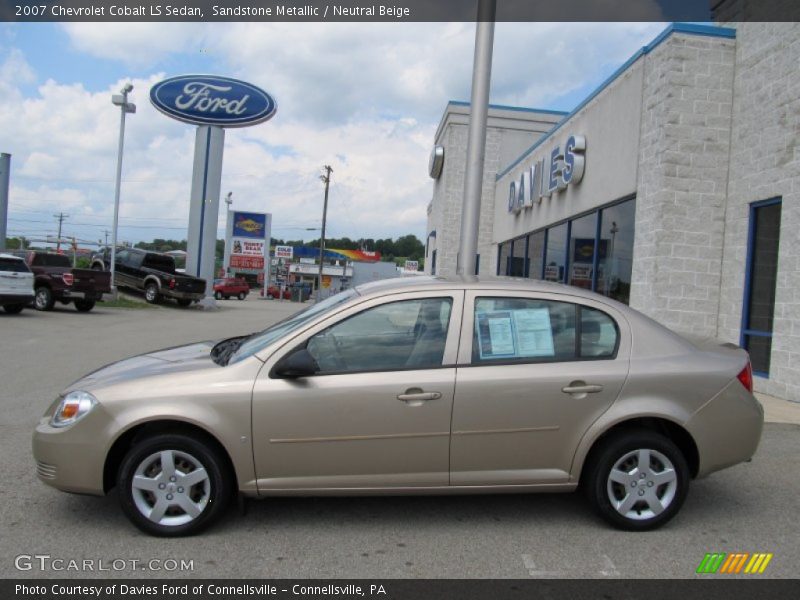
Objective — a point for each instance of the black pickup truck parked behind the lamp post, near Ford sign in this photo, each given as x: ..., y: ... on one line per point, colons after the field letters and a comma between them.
x: 152, y: 272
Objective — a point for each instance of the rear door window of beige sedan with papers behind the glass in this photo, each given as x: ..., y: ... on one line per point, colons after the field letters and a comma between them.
x: 523, y: 330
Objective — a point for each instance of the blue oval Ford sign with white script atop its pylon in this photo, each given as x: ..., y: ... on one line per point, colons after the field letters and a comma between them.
x: 212, y: 100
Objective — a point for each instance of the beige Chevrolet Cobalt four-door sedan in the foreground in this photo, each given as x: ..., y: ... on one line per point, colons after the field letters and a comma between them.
x: 419, y: 385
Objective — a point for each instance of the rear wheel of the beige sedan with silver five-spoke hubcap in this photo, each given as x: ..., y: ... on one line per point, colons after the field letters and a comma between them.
x: 625, y: 496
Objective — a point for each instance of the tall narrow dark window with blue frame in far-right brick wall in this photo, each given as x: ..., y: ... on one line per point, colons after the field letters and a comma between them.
x: 760, y: 278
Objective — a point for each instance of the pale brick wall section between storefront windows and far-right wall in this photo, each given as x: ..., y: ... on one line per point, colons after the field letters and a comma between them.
x: 680, y: 206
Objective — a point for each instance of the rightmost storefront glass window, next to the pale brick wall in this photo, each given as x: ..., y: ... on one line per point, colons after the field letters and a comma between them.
x: 615, y: 260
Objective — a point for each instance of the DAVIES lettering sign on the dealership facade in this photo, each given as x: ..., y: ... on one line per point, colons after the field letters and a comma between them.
x: 539, y: 181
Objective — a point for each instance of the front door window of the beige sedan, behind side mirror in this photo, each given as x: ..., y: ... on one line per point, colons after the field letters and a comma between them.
x: 408, y: 334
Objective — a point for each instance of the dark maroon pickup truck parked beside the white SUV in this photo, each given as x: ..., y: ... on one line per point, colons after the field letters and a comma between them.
x: 55, y: 280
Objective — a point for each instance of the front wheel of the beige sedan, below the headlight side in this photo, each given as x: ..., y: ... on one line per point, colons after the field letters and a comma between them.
x: 209, y: 496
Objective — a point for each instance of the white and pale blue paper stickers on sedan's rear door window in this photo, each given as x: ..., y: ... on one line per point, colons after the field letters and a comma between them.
x: 514, y: 333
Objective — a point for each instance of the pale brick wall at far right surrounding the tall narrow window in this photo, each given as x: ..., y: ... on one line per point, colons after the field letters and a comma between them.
x: 765, y: 163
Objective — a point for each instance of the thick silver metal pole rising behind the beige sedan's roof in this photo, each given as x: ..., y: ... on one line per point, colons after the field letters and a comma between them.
x: 476, y: 142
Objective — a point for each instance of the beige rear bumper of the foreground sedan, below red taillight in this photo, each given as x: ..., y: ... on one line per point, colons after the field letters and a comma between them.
x: 727, y: 429
